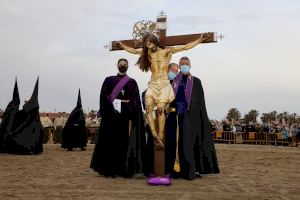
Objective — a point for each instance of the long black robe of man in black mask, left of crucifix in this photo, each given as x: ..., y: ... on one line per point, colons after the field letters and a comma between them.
x: 116, y: 153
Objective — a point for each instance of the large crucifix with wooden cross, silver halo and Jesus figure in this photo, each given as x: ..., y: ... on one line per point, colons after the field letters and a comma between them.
x: 155, y: 50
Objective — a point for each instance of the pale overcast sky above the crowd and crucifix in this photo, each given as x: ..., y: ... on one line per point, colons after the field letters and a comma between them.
x: 256, y: 66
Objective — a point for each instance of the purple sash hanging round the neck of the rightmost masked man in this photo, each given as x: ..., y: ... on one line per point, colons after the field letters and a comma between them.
x: 188, y: 88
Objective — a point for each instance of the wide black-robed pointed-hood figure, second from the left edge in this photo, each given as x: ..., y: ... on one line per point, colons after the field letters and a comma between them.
x: 27, y: 133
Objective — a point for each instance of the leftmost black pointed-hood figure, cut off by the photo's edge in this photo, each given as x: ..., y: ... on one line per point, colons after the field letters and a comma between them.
x: 8, y: 118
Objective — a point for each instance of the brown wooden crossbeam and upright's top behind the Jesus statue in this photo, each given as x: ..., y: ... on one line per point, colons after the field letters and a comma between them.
x: 166, y: 40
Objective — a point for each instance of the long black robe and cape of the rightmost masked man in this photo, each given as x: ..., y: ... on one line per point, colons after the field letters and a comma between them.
x: 196, y: 146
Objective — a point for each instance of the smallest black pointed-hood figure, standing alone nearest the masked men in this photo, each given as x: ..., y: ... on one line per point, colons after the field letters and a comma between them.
x: 74, y: 134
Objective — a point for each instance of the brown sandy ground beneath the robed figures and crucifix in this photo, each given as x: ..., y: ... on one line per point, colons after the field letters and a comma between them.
x: 247, y: 172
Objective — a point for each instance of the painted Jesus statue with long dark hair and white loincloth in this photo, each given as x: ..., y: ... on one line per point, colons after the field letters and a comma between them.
x: 159, y: 93
